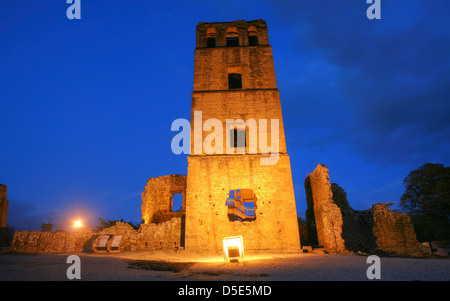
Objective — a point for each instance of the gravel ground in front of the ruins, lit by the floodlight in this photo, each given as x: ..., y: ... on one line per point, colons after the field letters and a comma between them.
x: 182, y: 265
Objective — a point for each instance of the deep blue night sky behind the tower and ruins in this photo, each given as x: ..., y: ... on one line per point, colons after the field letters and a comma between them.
x: 86, y: 105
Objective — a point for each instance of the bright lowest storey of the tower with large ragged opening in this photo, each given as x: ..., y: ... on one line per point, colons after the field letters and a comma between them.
x: 210, y: 178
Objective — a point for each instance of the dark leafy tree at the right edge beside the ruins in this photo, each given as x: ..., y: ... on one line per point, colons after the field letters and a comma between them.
x: 427, y: 201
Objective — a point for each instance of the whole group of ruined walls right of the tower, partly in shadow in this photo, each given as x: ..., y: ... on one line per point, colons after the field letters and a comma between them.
x: 341, y: 229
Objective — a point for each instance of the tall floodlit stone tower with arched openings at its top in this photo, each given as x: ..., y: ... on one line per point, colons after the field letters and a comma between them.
x: 234, y: 79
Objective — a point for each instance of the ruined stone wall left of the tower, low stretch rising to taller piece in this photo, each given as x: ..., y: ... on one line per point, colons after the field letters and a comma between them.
x: 163, y: 228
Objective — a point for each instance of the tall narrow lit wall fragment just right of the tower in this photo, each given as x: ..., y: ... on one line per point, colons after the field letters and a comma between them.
x: 328, y: 216
